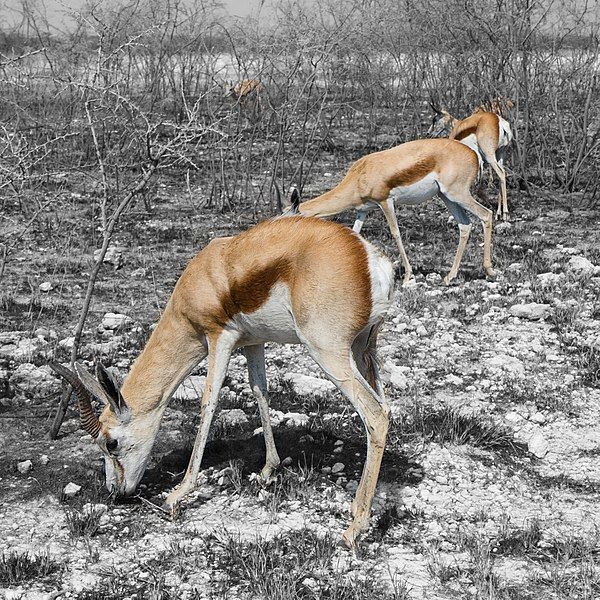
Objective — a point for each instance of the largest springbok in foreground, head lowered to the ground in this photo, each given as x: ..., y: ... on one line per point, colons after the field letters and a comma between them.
x: 290, y: 280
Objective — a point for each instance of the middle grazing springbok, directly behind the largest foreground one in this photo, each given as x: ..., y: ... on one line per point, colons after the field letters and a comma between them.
x: 410, y: 174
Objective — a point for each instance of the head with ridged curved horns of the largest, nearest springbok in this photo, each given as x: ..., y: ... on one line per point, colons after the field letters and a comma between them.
x: 126, y: 443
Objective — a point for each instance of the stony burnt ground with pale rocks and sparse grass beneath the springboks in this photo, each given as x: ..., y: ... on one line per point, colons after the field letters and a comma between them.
x: 490, y: 486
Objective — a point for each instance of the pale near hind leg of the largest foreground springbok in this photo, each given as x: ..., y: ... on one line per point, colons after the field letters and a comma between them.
x: 374, y: 412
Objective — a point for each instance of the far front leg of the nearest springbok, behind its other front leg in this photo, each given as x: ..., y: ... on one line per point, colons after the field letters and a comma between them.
x: 258, y: 383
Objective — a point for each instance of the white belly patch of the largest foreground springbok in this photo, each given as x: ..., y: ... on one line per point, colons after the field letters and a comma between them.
x: 272, y: 322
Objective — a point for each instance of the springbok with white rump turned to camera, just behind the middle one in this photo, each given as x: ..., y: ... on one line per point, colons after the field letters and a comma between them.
x: 490, y: 131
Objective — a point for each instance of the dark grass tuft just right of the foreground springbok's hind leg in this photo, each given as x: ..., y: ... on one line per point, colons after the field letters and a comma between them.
x: 448, y: 425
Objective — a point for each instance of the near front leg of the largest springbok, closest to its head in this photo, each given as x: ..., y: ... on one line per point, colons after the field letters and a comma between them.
x: 219, y: 352
